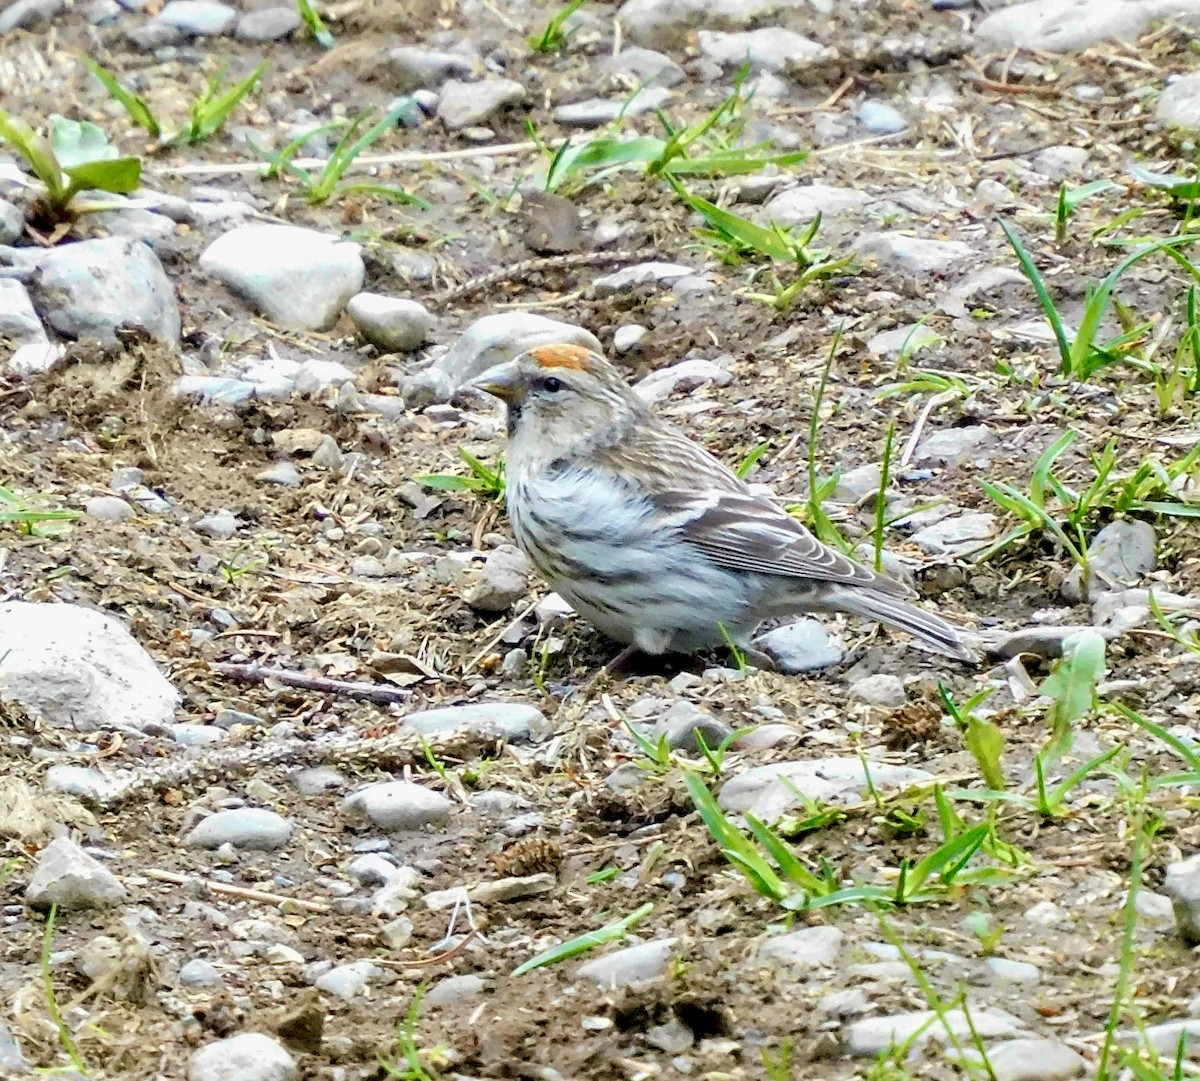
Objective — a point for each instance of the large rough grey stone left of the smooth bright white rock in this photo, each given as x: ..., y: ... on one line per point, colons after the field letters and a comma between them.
x: 92, y: 289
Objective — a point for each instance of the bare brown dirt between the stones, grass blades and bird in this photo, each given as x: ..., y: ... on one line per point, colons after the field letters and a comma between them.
x: 287, y: 581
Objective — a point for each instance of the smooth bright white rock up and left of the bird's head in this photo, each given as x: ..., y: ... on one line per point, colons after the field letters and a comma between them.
x: 299, y: 279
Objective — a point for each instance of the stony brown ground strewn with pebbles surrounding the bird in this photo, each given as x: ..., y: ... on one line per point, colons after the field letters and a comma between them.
x: 305, y: 762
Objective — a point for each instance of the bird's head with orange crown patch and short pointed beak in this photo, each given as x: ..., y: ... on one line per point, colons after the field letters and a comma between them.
x: 562, y: 397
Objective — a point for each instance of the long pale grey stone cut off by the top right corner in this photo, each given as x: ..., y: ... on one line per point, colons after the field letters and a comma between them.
x: 1066, y: 27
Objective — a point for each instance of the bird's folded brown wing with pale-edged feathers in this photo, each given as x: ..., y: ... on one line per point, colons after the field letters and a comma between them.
x: 717, y: 513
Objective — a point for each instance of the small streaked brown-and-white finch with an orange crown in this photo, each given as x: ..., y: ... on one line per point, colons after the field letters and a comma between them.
x: 647, y: 536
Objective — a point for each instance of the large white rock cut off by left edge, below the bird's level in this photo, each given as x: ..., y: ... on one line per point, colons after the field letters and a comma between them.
x: 80, y: 669
